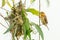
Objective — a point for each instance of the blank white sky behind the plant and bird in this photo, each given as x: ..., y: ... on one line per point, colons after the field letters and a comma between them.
x: 53, y: 14
